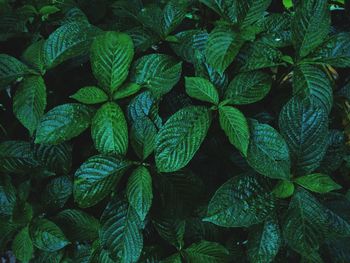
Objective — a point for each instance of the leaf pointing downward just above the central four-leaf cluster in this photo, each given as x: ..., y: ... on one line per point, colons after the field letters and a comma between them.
x: 222, y: 47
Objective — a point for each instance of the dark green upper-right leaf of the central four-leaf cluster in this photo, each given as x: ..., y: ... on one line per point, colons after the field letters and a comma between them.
x: 248, y: 87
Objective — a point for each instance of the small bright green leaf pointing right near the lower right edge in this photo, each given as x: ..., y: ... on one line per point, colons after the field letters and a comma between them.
x: 319, y: 183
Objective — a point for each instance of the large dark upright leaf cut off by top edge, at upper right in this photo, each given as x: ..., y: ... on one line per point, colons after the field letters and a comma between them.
x: 310, y: 25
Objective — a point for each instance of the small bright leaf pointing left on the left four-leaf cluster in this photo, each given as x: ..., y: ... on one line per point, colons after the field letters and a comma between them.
x: 90, y: 95
